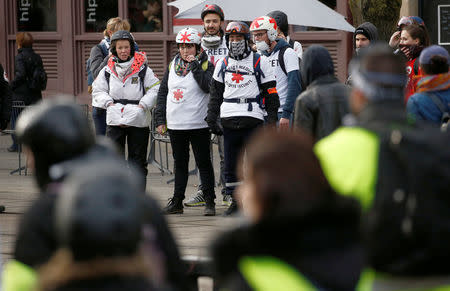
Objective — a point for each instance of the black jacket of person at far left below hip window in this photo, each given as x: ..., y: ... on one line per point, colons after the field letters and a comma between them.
x: 25, y: 62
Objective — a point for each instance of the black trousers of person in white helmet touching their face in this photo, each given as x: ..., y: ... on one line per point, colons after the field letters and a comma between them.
x: 200, y: 140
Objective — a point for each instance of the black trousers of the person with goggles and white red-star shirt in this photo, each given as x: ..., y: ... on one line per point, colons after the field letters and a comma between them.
x: 234, y: 142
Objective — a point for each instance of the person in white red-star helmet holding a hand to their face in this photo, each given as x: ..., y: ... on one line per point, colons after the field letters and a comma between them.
x: 181, y: 108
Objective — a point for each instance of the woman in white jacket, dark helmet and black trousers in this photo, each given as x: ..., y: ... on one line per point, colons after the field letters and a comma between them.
x: 127, y: 89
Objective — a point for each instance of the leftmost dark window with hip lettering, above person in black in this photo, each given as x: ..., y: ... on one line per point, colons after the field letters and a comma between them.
x: 36, y: 15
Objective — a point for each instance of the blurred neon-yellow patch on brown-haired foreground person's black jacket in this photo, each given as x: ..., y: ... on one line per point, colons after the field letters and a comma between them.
x: 267, y: 273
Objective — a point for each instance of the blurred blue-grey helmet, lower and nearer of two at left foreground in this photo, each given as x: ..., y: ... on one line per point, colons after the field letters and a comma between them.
x: 99, y: 212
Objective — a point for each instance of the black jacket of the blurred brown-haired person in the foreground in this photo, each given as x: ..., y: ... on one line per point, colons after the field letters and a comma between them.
x: 323, y: 246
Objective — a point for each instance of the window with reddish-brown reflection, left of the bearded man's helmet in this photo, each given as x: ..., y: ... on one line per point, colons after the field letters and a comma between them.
x: 145, y: 15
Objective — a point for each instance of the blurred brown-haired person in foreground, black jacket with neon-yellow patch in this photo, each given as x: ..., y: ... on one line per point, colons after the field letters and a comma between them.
x: 300, y: 234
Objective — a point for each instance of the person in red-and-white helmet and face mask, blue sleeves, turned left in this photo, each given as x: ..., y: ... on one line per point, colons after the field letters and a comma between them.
x: 278, y: 51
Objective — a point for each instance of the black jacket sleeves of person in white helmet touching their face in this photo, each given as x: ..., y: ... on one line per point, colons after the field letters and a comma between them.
x: 202, y: 77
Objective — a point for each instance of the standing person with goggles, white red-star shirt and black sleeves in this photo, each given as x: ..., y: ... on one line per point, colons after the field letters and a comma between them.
x: 243, y: 87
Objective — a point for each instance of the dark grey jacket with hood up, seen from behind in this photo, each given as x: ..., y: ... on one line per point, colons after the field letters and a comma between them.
x: 320, y: 109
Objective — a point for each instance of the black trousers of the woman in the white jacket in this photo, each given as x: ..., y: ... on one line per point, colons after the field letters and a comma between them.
x: 137, y: 140
